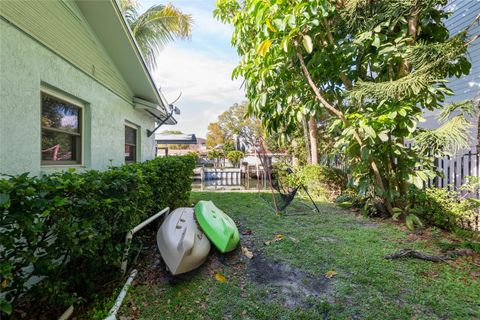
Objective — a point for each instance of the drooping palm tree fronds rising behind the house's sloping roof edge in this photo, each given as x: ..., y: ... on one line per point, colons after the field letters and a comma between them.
x: 157, y: 26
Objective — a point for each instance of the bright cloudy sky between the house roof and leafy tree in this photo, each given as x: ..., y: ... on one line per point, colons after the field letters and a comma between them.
x: 199, y: 68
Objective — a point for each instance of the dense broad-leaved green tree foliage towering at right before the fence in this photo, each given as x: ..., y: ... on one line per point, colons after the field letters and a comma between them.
x: 370, y: 67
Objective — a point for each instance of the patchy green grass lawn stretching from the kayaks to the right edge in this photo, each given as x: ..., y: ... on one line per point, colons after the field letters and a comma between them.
x: 322, y: 266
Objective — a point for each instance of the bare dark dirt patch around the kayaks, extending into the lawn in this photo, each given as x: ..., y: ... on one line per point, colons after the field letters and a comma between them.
x: 283, y: 282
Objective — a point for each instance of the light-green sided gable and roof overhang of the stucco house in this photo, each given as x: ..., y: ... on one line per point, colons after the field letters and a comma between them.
x: 94, y: 37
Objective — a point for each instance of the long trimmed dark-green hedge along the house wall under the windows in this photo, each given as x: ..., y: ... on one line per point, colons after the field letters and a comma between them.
x: 69, y: 228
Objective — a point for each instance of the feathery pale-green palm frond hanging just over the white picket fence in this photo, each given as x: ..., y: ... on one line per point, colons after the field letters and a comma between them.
x: 445, y: 140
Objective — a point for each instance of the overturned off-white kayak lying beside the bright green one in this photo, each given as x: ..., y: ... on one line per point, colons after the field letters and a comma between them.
x: 182, y: 244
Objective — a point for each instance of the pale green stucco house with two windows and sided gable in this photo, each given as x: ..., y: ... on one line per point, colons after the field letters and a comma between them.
x: 74, y: 89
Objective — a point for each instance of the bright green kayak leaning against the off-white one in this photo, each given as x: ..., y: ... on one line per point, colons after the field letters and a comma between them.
x: 218, y: 227
